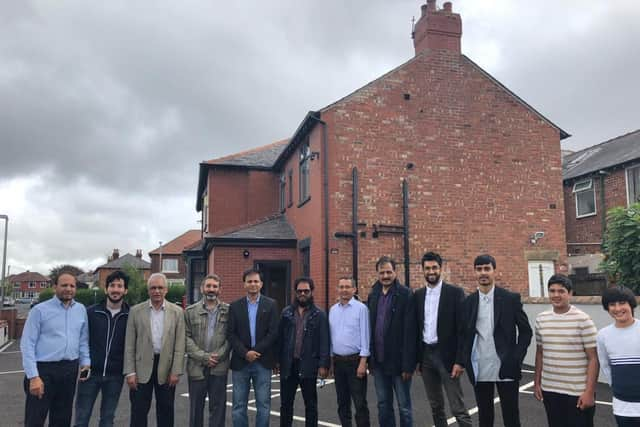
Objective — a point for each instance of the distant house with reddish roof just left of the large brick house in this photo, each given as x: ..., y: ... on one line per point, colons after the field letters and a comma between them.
x: 168, y: 259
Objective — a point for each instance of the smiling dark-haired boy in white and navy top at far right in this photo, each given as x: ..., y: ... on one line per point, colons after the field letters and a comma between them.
x: 619, y: 354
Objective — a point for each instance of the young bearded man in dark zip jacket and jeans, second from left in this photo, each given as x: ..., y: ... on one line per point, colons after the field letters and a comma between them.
x: 107, y: 329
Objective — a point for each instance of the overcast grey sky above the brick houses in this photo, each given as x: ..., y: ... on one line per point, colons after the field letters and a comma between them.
x: 106, y: 108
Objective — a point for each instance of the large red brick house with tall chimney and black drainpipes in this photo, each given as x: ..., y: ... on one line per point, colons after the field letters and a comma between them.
x: 434, y: 155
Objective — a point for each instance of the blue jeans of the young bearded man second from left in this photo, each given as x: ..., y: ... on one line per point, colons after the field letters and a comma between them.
x: 110, y: 386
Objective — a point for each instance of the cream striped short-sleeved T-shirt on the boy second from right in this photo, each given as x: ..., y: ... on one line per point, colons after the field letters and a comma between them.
x: 564, y: 338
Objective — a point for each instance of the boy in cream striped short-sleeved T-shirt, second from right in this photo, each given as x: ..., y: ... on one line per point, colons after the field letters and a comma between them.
x: 566, y: 359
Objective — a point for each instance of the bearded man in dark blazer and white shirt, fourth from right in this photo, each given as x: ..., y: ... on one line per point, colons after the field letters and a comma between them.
x: 439, y: 320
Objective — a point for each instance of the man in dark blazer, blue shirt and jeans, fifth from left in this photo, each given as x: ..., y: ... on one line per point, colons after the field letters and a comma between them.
x: 252, y: 332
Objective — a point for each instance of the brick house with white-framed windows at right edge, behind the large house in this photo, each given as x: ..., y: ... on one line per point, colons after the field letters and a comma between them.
x: 595, y: 180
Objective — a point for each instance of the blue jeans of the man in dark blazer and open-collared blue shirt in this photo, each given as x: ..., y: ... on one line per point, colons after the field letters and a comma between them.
x: 261, y: 378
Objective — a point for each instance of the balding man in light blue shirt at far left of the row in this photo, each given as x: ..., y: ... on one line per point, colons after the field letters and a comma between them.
x: 55, y: 339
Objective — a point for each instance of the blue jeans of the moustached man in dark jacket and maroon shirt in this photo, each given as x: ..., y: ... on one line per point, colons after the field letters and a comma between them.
x: 386, y: 385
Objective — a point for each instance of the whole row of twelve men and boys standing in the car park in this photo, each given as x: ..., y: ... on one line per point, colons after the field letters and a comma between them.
x: 435, y: 330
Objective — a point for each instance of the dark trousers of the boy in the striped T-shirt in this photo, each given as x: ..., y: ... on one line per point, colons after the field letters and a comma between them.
x: 562, y: 411
